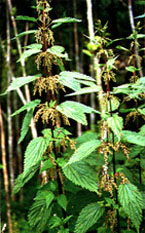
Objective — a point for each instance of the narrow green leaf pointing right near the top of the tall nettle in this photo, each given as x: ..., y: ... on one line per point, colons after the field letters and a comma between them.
x: 60, y: 21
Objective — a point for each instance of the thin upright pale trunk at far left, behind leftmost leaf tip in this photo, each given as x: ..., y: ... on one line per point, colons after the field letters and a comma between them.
x: 10, y: 130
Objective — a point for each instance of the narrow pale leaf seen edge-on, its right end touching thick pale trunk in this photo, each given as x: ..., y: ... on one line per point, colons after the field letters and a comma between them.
x: 85, y: 90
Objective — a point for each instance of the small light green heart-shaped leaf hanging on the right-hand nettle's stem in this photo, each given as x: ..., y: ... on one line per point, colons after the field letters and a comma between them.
x: 116, y: 124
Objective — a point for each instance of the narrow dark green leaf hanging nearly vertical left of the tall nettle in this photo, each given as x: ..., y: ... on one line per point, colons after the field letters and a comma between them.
x: 25, y: 125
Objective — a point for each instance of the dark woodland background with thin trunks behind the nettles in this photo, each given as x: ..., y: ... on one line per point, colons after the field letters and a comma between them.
x: 74, y: 38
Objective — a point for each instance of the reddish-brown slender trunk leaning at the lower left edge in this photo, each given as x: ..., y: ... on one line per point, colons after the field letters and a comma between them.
x: 5, y: 172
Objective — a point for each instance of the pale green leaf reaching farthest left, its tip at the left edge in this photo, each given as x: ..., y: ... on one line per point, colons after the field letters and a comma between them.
x: 19, y: 82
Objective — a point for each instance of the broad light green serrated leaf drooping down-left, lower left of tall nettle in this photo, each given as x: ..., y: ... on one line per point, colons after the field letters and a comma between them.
x: 34, y: 151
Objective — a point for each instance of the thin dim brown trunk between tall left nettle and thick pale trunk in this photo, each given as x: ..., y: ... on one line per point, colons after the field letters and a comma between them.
x: 79, y: 126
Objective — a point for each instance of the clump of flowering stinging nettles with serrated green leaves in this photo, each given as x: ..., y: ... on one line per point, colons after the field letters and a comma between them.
x: 94, y: 173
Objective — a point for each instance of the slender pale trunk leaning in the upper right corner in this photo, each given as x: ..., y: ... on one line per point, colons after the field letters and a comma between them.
x: 132, y: 24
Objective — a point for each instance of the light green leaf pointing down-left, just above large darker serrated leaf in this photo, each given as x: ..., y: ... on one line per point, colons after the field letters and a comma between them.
x: 84, y: 151
